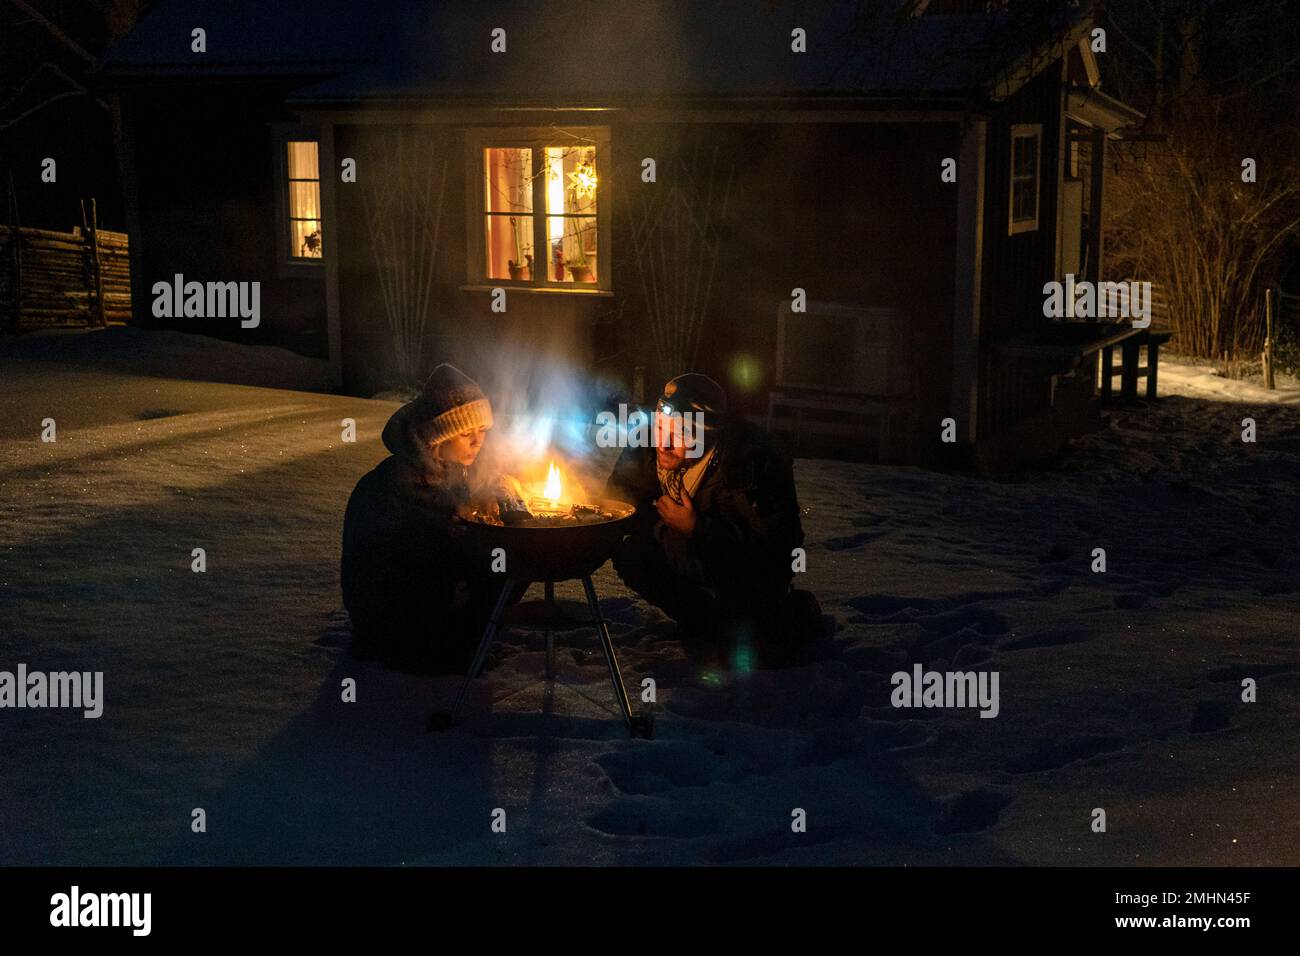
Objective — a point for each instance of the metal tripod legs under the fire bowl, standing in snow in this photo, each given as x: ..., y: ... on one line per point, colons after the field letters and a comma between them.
x: 549, y: 617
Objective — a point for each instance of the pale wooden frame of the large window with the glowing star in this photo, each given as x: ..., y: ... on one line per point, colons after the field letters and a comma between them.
x: 536, y: 139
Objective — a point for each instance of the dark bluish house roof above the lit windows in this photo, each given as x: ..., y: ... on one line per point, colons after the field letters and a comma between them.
x: 592, y: 53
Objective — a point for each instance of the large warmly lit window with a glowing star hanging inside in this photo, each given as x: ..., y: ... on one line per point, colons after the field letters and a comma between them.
x: 541, y: 211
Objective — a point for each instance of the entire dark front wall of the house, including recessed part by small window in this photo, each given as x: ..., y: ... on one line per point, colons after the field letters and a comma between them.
x: 851, y: 213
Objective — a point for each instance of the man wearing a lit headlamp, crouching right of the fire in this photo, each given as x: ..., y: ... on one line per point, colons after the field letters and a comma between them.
x: 716, y: 533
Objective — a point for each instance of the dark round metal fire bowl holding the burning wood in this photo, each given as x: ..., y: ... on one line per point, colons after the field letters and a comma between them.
x: 554, y: 552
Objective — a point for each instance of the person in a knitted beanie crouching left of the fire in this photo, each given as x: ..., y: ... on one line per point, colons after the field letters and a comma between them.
x: 417, y: 599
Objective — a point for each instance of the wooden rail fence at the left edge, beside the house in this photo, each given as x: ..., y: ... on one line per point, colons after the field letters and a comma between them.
x: 75, y: 279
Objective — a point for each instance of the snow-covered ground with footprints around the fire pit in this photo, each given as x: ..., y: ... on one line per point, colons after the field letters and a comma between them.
x: 223, y: 690
